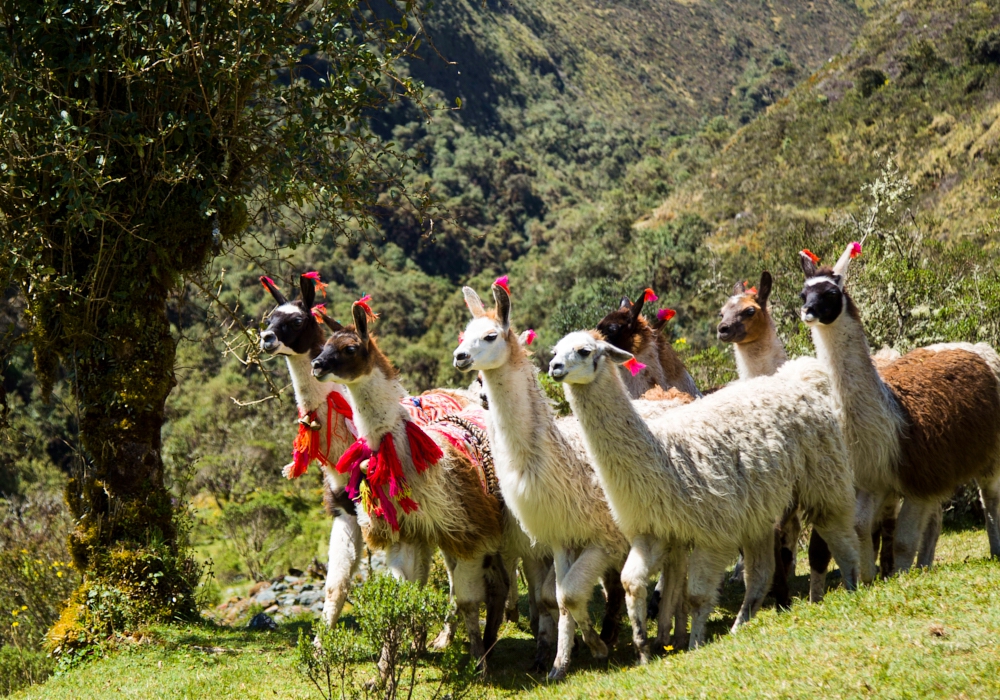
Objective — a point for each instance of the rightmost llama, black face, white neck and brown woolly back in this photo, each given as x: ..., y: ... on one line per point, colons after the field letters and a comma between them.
x: 928, y: 424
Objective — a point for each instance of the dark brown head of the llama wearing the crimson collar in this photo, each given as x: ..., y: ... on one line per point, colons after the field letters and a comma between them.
x: 350, y: 353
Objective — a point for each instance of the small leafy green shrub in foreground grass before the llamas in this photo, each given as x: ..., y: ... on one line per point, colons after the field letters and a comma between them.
x: 394, y: 619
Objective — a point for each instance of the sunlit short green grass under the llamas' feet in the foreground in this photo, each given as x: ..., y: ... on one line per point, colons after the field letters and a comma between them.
x: 927, y: 634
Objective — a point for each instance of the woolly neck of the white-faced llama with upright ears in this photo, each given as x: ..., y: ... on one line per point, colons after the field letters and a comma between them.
x: 520, y: 416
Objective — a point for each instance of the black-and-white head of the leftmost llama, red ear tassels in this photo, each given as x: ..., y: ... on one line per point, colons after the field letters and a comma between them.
x: 291, y: 327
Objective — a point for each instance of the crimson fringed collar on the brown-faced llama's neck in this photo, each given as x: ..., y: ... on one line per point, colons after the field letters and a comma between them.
x: 385, y: 470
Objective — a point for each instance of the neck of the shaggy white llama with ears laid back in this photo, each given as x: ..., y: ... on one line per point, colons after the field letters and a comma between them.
x: 623, y: 449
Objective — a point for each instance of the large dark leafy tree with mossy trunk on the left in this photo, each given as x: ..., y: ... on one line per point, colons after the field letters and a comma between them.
x: 138, y: 138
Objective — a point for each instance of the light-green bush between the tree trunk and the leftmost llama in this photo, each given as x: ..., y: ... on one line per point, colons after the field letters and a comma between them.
x: 258, y: 529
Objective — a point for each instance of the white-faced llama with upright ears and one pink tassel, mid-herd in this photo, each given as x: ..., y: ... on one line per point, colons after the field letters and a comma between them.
x: 545, y: 481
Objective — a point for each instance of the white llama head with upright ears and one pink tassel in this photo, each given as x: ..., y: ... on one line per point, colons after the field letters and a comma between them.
x: 488, y: 340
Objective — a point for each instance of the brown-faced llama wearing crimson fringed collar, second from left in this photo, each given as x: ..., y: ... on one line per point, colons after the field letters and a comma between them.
x: 417, y: 487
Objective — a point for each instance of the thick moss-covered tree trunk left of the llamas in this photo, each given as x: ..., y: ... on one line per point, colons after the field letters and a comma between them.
x: 126, y: 541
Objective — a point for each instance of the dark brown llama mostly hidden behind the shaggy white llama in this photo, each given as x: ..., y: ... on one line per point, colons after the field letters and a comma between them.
x: 629, y: 330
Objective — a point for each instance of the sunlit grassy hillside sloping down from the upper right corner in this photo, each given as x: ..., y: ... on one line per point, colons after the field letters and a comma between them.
x: 920, y: 85
